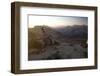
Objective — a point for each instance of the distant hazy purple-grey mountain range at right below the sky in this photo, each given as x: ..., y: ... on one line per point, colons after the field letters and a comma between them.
x: 75, y: 31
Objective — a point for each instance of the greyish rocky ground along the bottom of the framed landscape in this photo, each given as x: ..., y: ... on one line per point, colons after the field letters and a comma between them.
x: 63, y: 51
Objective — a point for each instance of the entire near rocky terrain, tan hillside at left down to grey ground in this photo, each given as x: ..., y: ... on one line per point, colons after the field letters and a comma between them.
x: 45, y: 43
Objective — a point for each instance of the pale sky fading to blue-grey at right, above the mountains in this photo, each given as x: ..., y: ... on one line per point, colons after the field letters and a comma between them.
x: 56, y: 21
